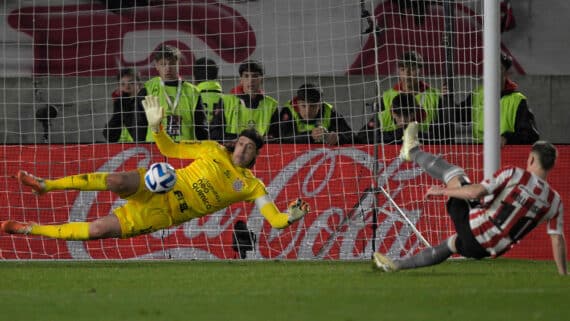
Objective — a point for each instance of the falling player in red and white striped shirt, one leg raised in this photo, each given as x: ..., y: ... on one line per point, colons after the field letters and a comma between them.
x: 492, y: 216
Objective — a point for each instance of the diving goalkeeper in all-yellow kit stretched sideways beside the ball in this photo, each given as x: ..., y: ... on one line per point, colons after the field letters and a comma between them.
x: 215, y: 179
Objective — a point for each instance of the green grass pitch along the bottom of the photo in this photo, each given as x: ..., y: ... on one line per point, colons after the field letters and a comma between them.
x: 281, y: 290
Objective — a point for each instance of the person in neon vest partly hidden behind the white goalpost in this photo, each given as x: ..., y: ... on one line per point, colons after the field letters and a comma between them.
x: 517, y: 122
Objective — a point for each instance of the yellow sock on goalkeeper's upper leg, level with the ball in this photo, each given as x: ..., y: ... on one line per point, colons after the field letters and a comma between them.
x: 82, y: 182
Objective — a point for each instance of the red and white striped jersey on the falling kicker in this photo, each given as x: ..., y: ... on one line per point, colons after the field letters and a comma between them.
x: 517, y: 201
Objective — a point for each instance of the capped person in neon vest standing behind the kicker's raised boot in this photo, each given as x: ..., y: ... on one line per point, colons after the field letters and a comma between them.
x: 427, y: 97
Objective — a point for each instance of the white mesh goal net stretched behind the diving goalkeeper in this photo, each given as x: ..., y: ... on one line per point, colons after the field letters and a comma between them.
x: 60, y: 60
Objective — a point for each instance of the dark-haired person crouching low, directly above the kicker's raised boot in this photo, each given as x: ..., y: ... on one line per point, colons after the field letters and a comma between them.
x: 404, y: 110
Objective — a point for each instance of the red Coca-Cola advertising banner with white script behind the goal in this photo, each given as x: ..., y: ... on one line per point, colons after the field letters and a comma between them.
x: 353, y: 211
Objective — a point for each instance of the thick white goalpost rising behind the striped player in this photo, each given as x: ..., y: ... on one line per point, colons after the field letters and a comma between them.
x: 491, y: 87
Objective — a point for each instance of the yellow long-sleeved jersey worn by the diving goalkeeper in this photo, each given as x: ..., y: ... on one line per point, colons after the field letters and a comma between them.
x: 211, y: 182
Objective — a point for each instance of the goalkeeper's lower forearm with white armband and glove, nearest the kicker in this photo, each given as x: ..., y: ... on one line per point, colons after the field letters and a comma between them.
x: 296, y: 210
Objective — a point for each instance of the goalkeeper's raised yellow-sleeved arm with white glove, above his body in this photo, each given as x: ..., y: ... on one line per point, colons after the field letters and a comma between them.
x: 154, y: 113
